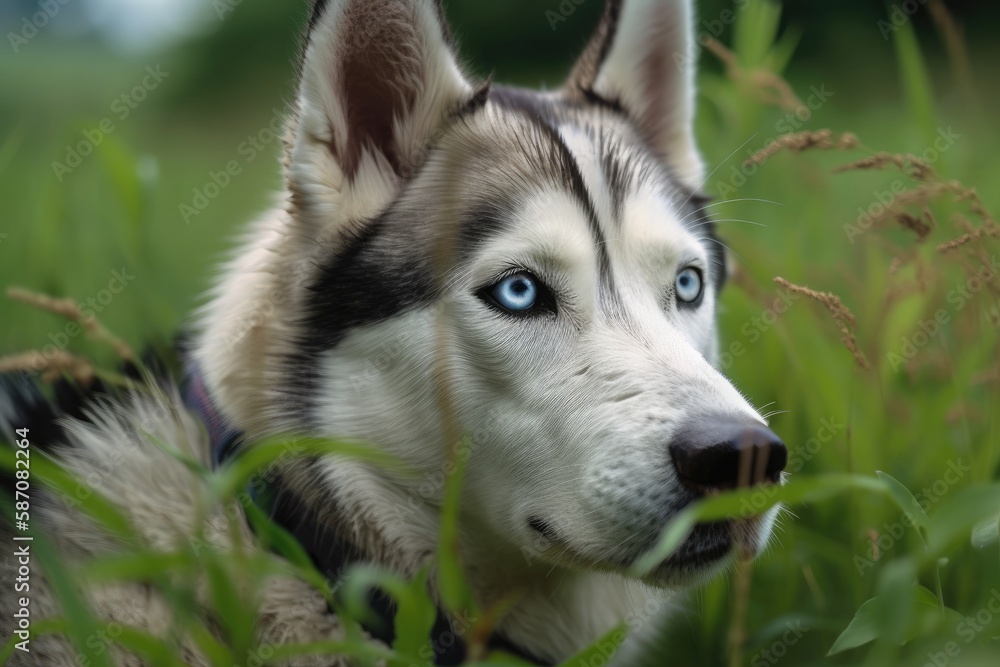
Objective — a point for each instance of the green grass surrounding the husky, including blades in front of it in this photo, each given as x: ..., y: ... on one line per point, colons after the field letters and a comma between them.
x: 853, y: 432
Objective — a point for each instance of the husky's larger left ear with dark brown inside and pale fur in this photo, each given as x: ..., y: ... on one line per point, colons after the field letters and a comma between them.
x: 378, y: 78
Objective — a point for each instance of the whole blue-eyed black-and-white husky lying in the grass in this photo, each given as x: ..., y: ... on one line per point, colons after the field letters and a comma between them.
x: 530, y: 274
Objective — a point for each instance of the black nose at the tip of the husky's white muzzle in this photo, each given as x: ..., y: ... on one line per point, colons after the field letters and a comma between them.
x: 722, y: 453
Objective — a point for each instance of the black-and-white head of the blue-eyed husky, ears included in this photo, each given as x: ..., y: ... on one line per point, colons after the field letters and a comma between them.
x: 535, y: 270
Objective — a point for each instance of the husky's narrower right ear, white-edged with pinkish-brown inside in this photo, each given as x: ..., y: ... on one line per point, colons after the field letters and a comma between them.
x: 642, y: 58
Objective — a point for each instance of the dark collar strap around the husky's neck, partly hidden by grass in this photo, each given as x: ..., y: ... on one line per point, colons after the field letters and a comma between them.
x: 330, y: 553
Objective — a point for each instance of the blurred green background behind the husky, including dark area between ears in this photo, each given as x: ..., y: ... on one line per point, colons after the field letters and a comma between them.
x: 897, y: 86
